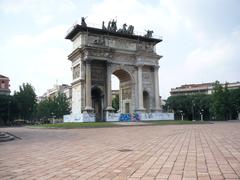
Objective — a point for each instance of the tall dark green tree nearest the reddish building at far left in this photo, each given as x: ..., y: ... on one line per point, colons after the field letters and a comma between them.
x: 26, y: 100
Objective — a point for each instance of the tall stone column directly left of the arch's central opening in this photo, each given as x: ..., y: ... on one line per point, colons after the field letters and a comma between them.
x: 109, y: 87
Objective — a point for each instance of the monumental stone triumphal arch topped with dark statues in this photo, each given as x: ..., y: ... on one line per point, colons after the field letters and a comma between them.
x: 99, y: 53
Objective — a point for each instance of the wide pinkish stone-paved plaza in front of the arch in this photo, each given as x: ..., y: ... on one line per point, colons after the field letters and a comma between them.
x: 204, y: 151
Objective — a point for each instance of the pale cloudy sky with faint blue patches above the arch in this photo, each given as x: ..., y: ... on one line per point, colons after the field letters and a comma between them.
x: 201, y: 38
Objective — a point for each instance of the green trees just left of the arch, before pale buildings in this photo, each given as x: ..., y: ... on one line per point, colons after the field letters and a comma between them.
x: 53, y: 107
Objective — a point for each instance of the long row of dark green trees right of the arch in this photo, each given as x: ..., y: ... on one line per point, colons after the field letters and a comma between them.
x: 223, y: 104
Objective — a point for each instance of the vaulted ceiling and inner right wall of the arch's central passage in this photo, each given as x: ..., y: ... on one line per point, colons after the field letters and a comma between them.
x: 125, y: 90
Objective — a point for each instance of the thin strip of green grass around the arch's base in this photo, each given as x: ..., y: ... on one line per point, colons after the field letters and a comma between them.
x: 112, y: 124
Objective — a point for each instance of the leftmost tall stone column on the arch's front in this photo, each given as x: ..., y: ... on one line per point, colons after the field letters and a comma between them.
x: 88, y: 96
